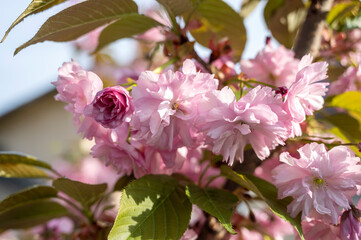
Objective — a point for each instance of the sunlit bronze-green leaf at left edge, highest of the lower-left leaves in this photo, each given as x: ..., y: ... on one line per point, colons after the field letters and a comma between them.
x: 18, y: 165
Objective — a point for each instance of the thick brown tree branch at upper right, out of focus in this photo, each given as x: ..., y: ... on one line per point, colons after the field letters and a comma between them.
x: 309, y: 37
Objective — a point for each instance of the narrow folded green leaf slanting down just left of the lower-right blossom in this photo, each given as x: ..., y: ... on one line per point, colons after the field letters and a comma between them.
x: 266, y: 191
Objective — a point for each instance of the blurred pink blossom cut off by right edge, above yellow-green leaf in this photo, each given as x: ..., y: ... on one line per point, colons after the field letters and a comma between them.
x: 350, y: 80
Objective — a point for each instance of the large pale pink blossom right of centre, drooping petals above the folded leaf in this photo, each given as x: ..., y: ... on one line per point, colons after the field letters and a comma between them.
x: 256, y: 119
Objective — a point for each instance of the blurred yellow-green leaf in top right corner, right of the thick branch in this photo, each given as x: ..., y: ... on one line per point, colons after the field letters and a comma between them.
x: 339, y: 14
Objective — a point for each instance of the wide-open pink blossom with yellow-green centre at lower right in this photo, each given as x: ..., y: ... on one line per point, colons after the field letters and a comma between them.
x: 318, y: 180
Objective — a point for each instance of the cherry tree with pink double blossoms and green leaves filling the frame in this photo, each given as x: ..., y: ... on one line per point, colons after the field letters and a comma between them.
x: 192, y: 147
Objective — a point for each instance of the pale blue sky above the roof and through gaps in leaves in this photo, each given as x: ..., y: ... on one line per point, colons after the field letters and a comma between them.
x: 28, y: 74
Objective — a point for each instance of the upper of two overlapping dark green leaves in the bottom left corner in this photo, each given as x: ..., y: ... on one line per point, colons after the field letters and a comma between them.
x: 27, y: 195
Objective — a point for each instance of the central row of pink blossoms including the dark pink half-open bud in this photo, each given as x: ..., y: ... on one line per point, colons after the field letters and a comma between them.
x: 145, y: 130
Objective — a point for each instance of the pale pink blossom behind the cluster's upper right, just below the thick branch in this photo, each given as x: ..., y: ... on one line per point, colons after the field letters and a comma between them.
x: 276, y: 67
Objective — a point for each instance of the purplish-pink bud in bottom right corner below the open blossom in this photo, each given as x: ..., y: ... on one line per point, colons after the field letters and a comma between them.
x: 351, y: 225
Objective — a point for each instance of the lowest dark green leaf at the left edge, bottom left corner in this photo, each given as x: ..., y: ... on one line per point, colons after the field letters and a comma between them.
x: 31, y: 214
